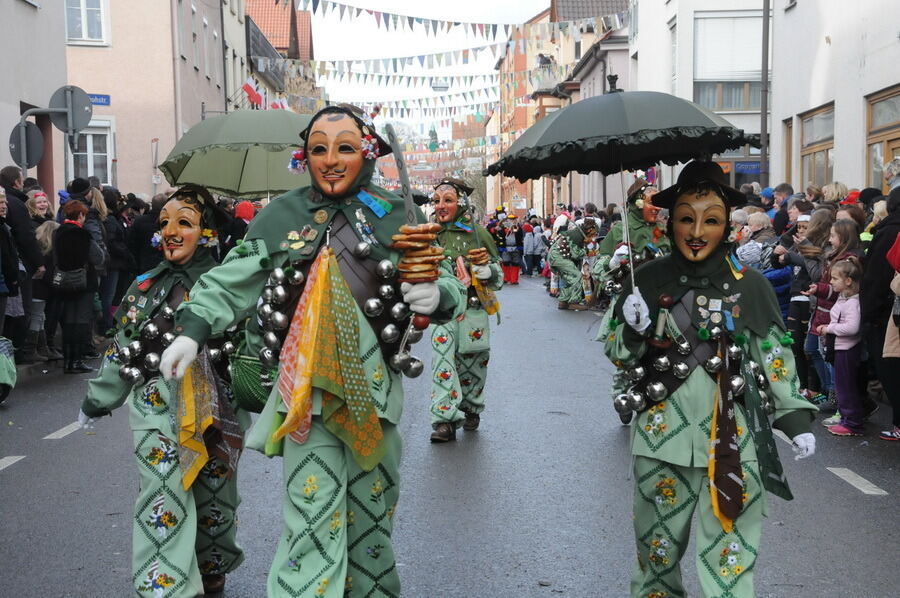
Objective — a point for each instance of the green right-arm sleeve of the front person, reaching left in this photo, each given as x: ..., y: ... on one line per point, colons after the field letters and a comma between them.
x: 225, y: 293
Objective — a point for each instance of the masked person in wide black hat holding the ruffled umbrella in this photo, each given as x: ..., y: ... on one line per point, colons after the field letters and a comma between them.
x: 710, y: 362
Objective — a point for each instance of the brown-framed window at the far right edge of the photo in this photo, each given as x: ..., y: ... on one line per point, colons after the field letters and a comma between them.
x: 883, y: 135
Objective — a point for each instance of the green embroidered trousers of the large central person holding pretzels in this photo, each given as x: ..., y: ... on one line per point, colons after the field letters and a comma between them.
x: 338, y: 519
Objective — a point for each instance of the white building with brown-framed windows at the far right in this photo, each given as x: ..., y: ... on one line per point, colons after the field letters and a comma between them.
x: 836, y: 98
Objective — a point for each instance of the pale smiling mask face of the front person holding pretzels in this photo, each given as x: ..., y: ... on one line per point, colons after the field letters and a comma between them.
x: 334, y: 153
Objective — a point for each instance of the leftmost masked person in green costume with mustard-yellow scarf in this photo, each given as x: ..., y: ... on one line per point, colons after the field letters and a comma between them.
x: 188, y: 436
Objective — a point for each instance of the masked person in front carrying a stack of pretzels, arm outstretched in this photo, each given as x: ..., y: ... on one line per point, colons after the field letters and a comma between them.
x: 333, y: 283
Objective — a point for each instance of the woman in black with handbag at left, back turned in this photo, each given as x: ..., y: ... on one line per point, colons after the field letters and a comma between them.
x: 76, y: 256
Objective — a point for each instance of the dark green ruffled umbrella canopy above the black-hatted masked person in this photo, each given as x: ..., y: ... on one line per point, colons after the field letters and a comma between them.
x: 626, y: 130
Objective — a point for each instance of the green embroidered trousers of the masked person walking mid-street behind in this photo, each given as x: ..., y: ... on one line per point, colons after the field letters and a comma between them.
x: 459, y: 360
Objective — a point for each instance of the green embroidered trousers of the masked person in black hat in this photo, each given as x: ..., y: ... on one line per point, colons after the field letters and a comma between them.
x: 665, y: 499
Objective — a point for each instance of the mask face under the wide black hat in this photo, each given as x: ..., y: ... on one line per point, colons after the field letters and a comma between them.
x: 698, y: 224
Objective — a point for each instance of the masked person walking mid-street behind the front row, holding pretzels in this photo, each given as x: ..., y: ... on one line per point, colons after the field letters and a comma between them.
x: 461, y: 347
